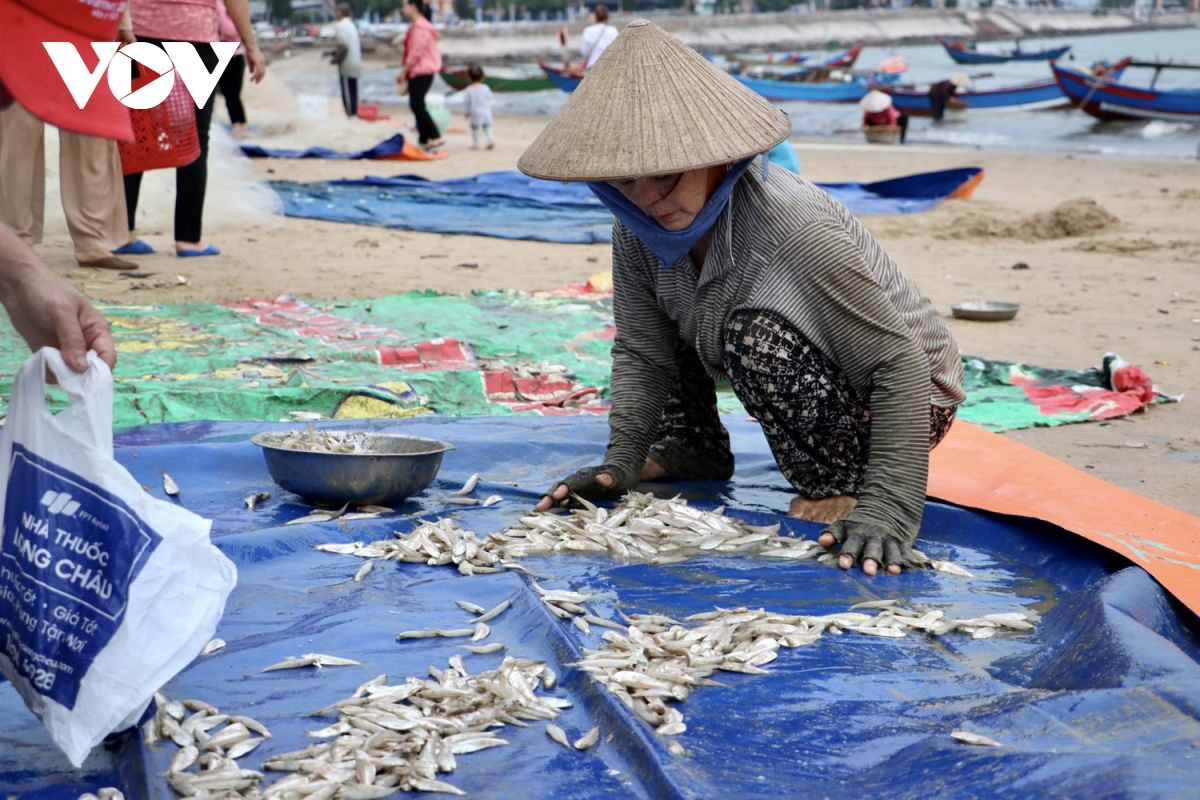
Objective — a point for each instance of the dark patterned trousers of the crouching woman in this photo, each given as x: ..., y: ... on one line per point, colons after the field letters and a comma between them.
x: 819, y: 428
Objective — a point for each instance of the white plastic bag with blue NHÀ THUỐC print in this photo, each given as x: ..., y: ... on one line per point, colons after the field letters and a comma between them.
x: 106, y: 593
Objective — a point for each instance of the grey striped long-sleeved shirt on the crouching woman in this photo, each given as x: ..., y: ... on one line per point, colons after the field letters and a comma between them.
x: 785, y: 246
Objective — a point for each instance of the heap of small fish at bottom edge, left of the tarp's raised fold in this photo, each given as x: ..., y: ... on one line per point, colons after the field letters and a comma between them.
x: 392, y: 738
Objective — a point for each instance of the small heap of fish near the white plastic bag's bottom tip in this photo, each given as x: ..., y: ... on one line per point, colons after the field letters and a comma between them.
x: 209, y: 741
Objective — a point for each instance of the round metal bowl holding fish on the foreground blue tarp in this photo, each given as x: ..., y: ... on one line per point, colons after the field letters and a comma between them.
x: 397, y: 468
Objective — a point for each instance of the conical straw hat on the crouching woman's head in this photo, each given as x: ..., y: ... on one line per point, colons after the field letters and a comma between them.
x: 652, y: 106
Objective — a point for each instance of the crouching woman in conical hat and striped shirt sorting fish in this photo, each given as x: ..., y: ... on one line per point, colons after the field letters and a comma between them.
x: 727, y: 267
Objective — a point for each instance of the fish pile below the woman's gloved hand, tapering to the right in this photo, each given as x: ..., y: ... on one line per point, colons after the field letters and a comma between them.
x: 661, y: 660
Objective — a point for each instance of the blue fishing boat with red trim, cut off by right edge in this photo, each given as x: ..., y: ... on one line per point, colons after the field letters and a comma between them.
x: 1107, y: 99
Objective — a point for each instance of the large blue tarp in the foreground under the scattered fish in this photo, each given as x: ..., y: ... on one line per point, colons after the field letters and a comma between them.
x: 1101, y: 701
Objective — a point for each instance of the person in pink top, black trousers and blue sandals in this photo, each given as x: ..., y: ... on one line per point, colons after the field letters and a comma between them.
x: 194, y: 22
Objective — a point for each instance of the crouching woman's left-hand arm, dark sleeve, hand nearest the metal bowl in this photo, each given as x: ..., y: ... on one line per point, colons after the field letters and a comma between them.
x: 644, y: 366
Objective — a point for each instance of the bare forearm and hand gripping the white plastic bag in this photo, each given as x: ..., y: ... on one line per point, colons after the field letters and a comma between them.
x: 46, y: 310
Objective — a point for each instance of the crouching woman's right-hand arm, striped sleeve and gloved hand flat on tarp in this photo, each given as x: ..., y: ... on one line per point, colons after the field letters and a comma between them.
x: 871, y: 342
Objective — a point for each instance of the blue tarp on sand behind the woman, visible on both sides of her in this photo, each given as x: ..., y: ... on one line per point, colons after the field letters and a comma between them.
x: 512, y: 206
